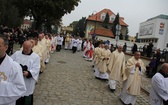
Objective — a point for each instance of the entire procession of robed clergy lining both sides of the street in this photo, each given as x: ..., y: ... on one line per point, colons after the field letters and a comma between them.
x: 18, y: 79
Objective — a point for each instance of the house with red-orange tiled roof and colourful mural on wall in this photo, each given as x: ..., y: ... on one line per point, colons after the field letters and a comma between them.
x: 94, y: 24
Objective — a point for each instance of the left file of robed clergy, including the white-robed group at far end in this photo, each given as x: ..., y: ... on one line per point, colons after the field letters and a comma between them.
x: 17, y: 81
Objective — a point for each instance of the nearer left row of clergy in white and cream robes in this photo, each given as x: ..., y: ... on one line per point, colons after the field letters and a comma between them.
x: 17, y: 81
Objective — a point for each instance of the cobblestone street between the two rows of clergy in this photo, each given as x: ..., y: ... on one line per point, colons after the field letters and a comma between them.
x: 69, y: 80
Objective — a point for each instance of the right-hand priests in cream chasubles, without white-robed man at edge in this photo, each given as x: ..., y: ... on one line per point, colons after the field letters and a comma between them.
x: 113, y: 68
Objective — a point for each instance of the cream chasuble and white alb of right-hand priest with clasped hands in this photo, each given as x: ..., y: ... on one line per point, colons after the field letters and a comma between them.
x: 132, y: 81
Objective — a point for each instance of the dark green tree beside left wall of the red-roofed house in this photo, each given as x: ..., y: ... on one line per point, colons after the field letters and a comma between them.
x: 79, y: 28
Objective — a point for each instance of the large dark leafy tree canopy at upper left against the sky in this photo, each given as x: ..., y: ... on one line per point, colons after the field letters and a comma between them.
x: 45, y: 11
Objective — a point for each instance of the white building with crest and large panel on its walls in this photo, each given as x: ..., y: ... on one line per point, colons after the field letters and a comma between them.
x: 156, y: 30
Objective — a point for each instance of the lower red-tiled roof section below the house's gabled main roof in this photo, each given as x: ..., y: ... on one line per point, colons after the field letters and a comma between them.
x: 102, y: 32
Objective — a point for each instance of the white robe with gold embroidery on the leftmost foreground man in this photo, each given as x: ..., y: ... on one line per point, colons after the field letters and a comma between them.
x: 12, y: 84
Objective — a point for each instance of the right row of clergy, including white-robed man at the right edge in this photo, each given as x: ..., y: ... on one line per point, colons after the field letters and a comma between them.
x: 113, y: 67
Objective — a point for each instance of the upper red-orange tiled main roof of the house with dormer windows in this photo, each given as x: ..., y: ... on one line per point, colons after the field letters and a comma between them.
x: 97, y: 15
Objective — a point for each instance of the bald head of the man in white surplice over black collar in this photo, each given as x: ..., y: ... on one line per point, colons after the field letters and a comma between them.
x: 27, y: 47
